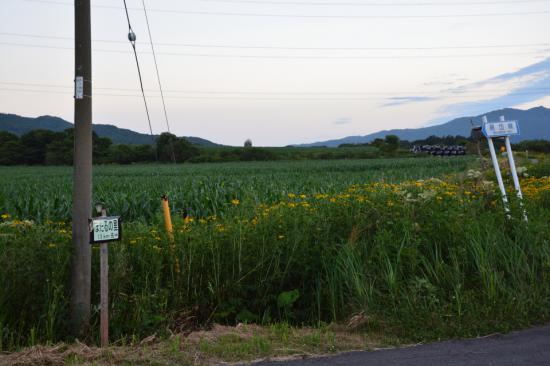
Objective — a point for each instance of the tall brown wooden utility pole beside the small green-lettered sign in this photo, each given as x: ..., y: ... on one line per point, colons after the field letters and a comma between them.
x: 82, y: 176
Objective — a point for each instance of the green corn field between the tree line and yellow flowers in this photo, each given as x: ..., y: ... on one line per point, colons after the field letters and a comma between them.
x: 133, y: 192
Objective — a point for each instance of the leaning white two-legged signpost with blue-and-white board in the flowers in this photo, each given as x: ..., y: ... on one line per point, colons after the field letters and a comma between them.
x: 503, y: 129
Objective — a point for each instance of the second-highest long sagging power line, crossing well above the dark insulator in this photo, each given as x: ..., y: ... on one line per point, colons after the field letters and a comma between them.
x: 313, y: 16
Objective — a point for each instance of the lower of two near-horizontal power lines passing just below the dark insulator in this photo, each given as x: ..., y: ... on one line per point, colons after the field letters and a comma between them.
x: 287, y: 57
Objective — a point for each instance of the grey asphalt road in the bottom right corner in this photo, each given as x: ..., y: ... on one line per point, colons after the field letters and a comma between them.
x: 528, y: 347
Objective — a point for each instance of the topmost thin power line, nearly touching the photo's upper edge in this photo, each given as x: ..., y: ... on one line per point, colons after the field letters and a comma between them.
x: 326, y: 3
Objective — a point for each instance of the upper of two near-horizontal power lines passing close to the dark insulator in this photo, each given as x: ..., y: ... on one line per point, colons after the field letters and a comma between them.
x: 202, y: 45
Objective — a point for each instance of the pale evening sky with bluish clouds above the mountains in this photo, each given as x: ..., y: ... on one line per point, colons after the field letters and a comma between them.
x: 281, y: 71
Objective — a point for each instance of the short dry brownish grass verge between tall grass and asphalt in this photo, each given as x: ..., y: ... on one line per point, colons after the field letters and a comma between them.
x: 221, y: 344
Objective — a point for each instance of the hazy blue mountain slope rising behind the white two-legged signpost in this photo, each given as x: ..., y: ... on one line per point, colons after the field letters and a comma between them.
x: 534, y: 124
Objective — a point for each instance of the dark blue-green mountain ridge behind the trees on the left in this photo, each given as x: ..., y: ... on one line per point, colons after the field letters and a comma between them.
x: 20, y: 125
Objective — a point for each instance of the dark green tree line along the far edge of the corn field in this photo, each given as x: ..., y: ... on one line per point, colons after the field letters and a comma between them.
x: 44, y: 147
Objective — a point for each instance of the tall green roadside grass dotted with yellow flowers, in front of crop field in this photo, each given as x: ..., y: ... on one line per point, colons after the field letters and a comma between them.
x: 421, y: 260
